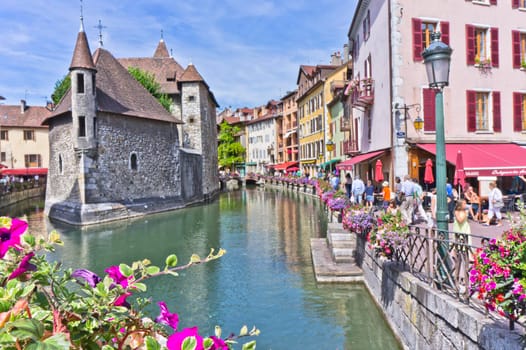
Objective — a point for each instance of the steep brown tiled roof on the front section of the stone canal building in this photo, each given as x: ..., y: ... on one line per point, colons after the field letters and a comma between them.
x: 119, y: 93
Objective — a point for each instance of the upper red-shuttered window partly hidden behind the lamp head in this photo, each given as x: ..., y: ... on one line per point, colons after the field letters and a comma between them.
x: 422, y: 30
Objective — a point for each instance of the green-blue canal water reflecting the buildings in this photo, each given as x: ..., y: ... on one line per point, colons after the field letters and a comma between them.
x: 266, y: 278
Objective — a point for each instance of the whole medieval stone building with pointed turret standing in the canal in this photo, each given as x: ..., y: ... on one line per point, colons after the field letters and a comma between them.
x: 115, y: 152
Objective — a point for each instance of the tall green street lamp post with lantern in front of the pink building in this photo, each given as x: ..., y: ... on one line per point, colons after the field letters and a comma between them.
x: 437, y: 60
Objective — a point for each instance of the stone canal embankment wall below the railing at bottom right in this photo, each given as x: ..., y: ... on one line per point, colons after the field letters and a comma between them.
x: 425, y: 318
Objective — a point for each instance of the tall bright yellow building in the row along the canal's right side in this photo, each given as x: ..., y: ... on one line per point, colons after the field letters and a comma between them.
x: 312, y: 115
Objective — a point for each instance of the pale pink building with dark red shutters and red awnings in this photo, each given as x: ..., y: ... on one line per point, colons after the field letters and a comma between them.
x: 485, y: 102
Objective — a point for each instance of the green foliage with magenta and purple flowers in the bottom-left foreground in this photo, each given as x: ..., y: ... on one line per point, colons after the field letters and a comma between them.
x: 45, y: 307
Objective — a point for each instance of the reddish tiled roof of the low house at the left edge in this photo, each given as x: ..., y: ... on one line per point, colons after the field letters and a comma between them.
x: 12, y: 116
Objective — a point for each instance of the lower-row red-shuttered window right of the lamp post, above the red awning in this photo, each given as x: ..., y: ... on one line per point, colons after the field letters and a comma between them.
x: 483, y: 111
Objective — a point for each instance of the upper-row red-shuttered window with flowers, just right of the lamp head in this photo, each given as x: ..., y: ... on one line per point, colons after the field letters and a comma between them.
x: 482, y: 45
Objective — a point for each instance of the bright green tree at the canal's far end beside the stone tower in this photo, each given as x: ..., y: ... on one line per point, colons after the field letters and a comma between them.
x: 229, y: 151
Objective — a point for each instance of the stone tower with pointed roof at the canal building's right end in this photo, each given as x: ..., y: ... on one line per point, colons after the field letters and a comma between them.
x: 199, y: 132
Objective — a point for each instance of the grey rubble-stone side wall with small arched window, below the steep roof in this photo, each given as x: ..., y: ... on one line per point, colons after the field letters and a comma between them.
x: 110, y: 176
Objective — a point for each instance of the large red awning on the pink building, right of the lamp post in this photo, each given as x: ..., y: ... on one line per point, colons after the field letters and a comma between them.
x: 488, y: 159
